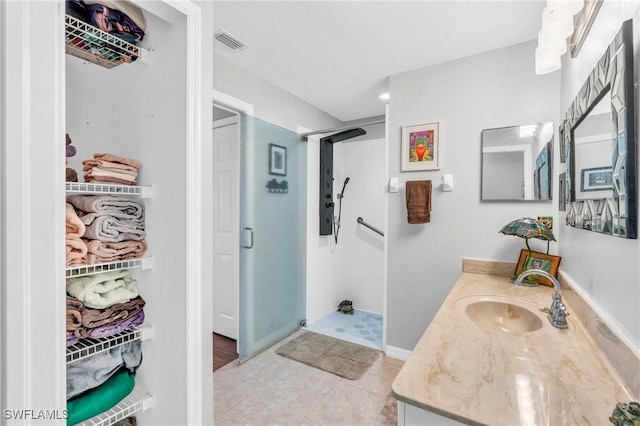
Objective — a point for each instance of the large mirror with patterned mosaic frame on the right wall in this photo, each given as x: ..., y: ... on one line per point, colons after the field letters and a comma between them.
x: 599, y: 137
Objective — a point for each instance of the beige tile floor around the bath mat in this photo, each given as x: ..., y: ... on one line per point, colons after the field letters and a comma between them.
x: 270, y: 390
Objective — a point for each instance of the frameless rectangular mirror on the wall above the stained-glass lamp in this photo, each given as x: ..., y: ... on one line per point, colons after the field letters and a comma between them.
x: 517, y: 163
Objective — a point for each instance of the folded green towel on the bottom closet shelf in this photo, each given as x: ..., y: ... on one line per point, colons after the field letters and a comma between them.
x: 100, y: 399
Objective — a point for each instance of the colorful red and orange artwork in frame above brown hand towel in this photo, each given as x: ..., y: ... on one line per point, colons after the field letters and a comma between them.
x: 421, y: 147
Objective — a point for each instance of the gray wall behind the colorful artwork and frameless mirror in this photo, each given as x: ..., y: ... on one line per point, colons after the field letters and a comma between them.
x: 490, y: 90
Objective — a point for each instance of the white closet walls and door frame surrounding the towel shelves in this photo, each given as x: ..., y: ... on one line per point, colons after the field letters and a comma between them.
x: 144, y: 110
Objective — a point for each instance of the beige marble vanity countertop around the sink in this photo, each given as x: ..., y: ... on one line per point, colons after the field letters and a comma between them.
x: 474, y: 375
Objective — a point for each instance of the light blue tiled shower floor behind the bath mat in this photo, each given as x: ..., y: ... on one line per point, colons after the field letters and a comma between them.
x: 363, y: 327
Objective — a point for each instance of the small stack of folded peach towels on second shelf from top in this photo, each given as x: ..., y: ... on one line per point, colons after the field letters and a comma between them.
x: 110, y: 168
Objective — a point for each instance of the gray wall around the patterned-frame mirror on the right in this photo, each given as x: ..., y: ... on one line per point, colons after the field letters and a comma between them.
x: 605, y: 268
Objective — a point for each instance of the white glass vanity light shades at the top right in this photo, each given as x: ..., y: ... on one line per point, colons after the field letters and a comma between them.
x: 557, y: 25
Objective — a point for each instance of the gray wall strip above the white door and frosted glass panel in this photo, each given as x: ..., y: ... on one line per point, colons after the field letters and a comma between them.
x: 271, y: 103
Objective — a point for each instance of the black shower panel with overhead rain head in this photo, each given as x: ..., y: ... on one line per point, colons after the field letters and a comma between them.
x: 326, y: 177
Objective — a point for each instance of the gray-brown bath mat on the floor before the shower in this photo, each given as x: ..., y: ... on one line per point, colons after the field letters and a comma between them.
x: 335, y: 356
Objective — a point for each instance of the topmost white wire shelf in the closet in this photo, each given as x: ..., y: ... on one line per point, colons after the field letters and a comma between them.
x: 96, y: 46
